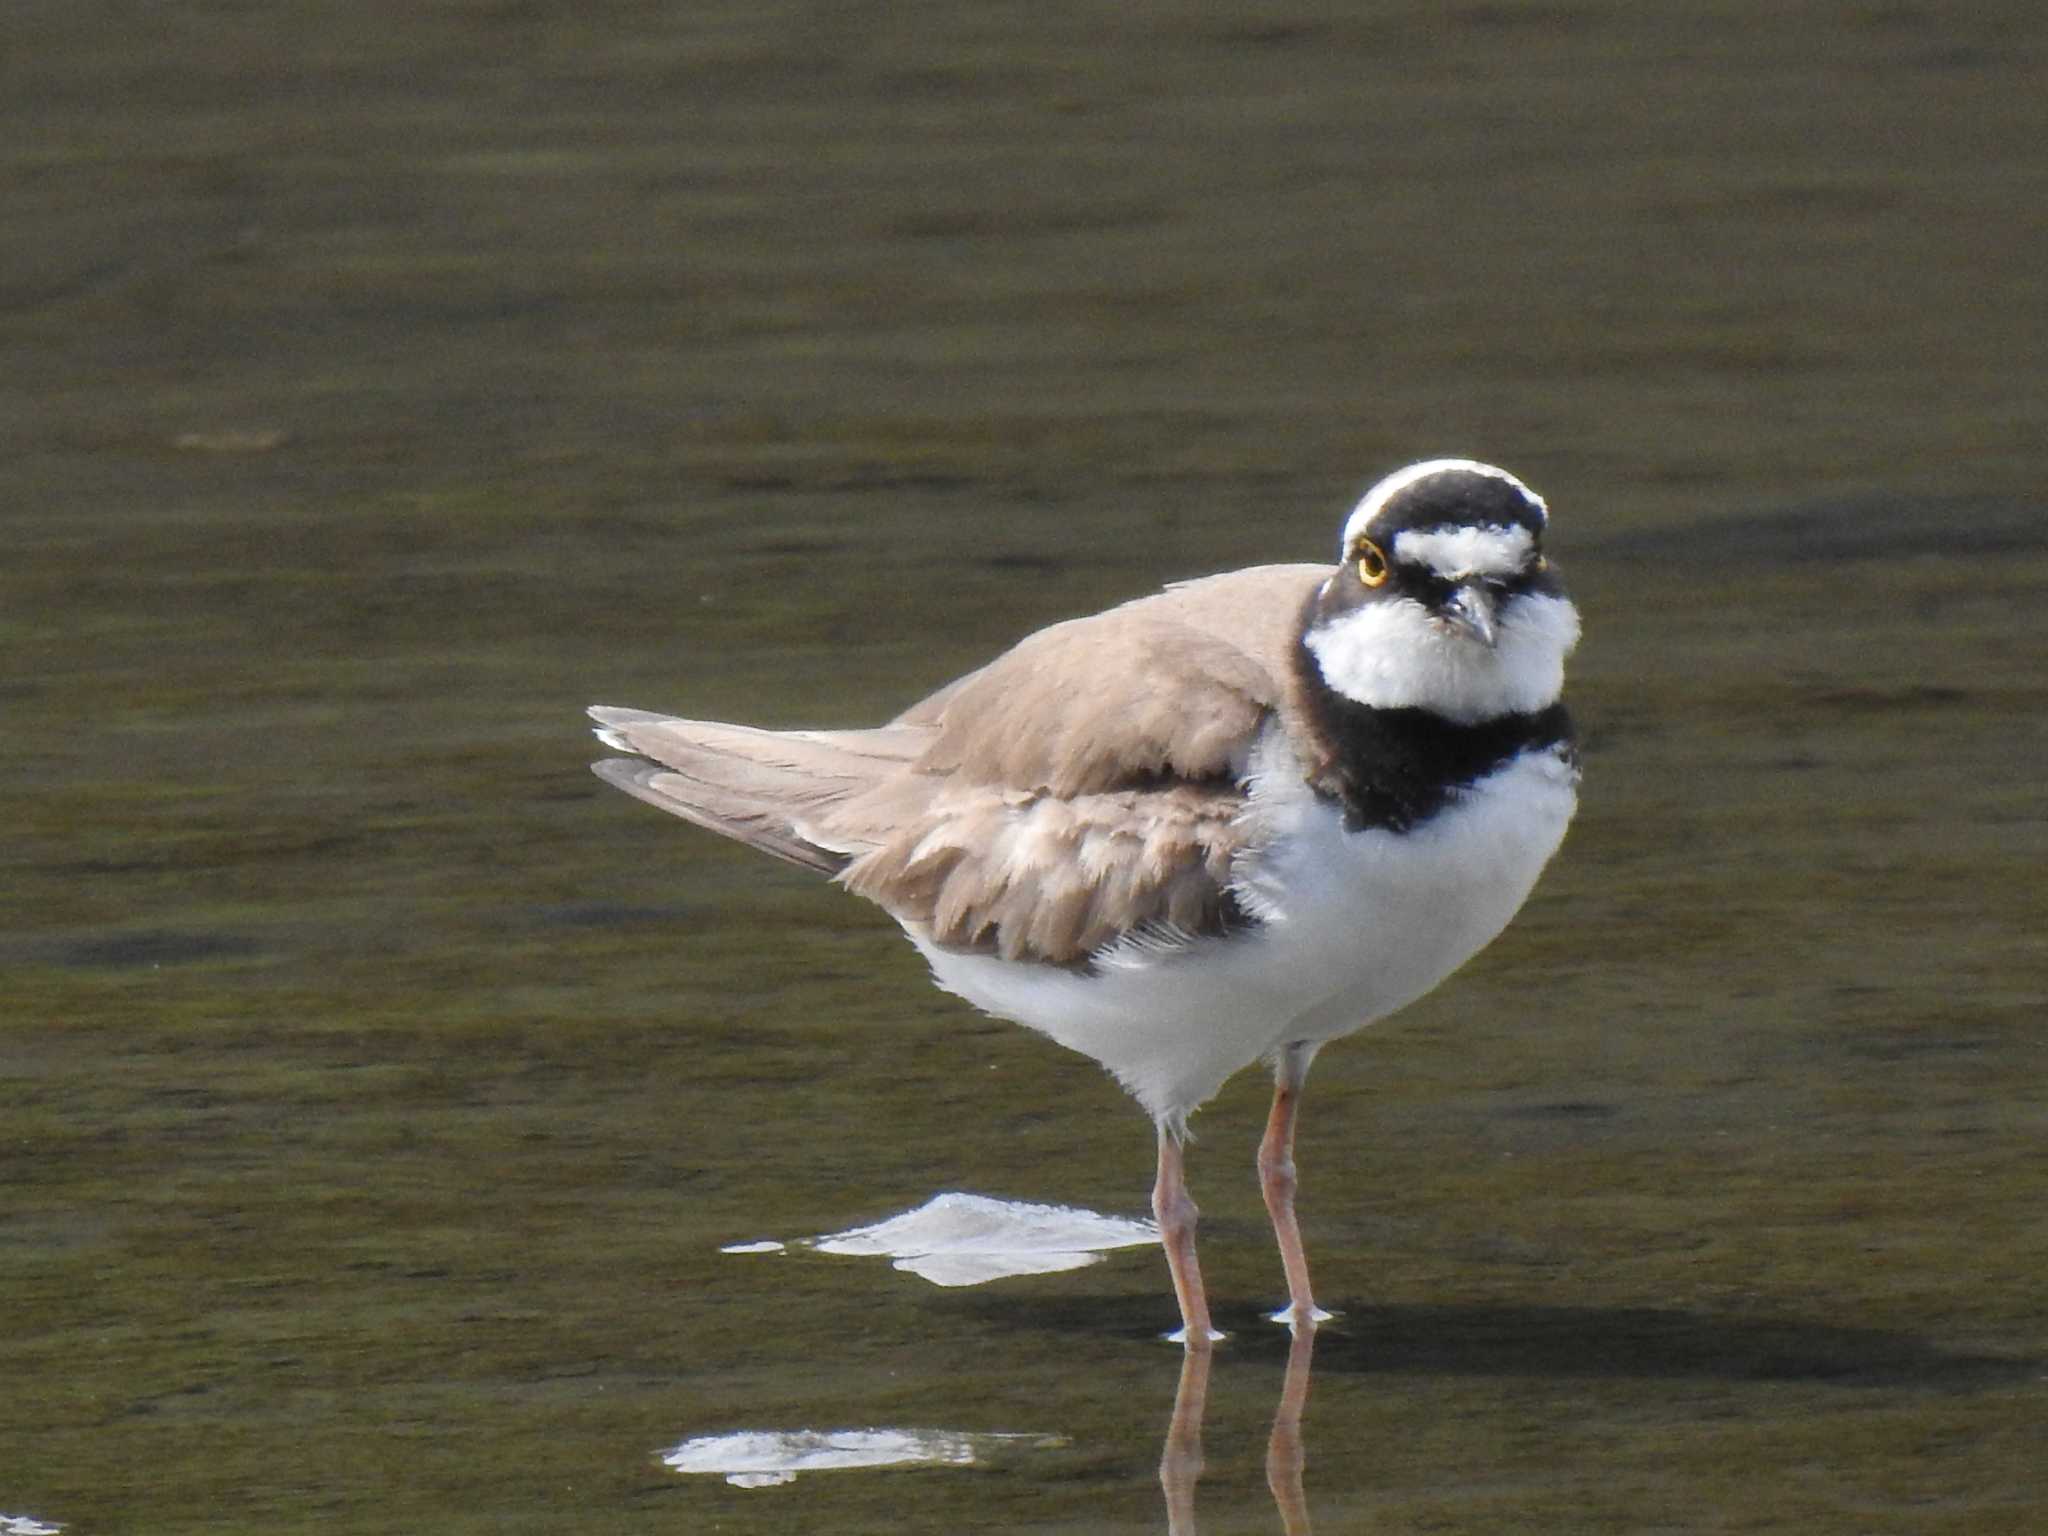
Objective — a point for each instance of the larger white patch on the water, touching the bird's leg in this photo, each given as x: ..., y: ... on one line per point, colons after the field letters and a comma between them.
x: 968, y: 1240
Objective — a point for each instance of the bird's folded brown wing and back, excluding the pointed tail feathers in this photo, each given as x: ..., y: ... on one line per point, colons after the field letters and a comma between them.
x: 1084, y: 785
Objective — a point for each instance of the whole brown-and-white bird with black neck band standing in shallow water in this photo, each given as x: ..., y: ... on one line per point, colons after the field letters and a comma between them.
x: 1222, y: 824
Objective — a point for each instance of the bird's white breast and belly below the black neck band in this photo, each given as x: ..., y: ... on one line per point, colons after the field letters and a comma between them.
x: 1357, y: 927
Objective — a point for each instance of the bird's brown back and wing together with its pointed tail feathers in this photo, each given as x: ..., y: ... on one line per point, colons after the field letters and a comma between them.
x: 1080, y: 790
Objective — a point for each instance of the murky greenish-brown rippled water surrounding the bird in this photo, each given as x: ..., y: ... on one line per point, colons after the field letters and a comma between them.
x: 390, y: 382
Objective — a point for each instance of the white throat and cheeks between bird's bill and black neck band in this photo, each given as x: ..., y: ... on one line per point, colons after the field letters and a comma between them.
x: 1396, y: 656
